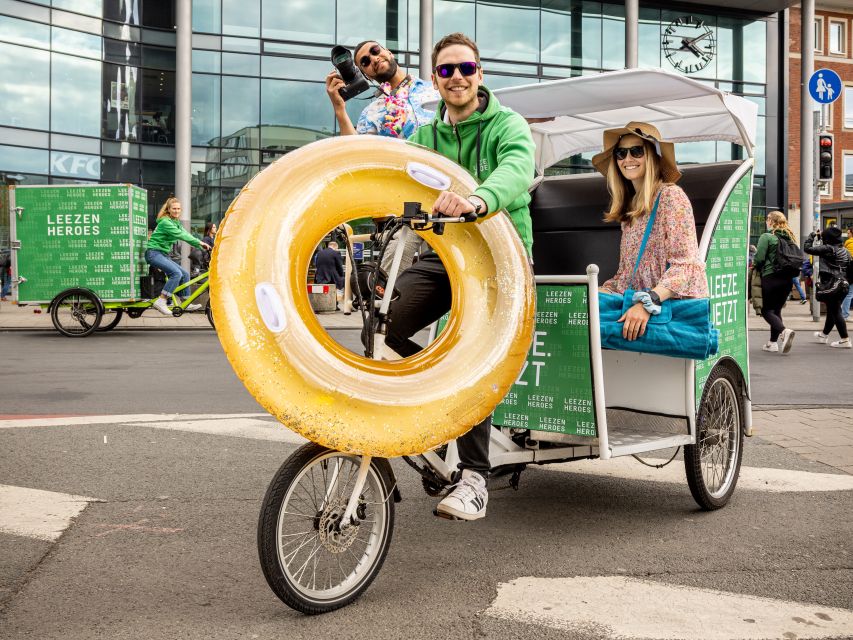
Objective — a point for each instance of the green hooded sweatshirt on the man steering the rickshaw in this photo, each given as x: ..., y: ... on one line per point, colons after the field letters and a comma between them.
x: 498, y: 142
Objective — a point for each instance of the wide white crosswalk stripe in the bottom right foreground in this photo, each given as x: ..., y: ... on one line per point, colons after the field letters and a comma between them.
x: 622, y: 607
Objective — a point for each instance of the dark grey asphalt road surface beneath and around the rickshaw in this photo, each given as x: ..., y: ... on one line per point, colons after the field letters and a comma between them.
x: 169, y: 551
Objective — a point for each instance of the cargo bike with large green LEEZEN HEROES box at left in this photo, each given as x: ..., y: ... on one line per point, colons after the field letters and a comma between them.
x: 78, y: 252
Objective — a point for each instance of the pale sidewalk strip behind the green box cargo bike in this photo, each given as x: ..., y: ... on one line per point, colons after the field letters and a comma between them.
x: 33, y: 318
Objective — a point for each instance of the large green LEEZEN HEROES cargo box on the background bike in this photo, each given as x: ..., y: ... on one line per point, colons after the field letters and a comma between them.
x: 90, y: 236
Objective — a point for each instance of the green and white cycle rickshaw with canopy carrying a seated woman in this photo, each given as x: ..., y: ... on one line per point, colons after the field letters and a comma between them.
x: 327, y: 518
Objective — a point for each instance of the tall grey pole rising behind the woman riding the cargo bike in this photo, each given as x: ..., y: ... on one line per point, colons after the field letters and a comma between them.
x: 183, y: 117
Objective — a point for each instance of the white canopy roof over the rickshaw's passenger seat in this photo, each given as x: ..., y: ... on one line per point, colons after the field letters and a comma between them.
x: 684, y: 110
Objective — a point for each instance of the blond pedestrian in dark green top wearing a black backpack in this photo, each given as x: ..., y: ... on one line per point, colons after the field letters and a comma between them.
x: 777, y: 249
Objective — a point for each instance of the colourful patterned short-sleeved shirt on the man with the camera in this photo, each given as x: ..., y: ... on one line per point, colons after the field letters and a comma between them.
x: 399, y: 118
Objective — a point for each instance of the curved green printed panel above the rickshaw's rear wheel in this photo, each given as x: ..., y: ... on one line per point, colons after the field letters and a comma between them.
x: 727, y: 282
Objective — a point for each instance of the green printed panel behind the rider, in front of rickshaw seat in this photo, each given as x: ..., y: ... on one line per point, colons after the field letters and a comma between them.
x: 554, y: 391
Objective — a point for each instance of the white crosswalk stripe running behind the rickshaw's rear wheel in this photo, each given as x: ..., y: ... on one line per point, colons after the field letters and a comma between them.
x: 751, y: 478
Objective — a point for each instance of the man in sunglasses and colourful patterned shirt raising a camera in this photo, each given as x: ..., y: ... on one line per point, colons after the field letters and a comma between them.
x: 397, y: 111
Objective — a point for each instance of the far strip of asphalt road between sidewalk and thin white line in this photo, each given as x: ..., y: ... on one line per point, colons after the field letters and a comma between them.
x: 187, y: 372
